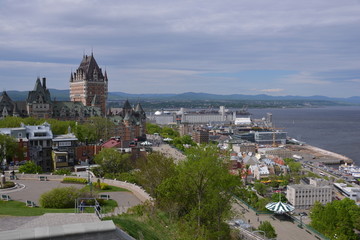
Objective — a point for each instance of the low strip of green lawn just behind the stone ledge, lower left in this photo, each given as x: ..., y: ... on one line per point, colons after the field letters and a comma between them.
x: 15, y: 208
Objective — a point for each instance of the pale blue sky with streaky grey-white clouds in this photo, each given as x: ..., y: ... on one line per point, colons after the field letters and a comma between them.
x: 251, y: 47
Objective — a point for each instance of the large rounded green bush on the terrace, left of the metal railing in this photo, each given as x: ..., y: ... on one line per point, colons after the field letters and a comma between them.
x: 60, y: 198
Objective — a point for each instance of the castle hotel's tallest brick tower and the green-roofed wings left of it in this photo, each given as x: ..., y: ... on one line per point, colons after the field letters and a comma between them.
x: 88, y: 95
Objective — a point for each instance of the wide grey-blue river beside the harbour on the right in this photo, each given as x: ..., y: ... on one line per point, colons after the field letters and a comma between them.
x: 336, y: 129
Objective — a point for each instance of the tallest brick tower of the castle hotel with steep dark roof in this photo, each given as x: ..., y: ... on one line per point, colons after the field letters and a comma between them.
x: 89, y: 85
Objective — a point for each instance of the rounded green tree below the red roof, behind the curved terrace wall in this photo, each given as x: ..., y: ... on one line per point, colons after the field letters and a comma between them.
x: 111, y: 161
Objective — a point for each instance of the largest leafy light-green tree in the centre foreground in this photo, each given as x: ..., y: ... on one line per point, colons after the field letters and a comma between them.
x: 201, y: 189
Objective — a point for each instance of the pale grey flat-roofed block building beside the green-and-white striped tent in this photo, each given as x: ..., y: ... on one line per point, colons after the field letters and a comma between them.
x: 303, y: 196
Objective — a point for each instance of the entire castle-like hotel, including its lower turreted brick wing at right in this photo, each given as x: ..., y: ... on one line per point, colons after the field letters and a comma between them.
x: 88, y: 96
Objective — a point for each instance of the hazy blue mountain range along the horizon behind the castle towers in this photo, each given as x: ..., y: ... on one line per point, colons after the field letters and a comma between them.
x: 63, y: 95
